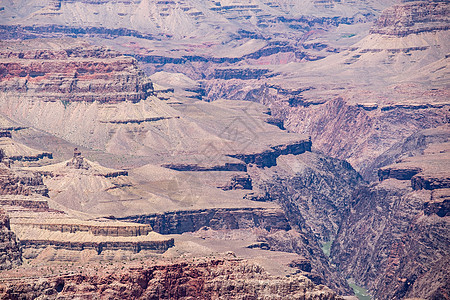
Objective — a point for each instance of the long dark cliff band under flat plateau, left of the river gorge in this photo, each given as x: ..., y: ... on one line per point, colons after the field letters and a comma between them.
x: 220, y: 218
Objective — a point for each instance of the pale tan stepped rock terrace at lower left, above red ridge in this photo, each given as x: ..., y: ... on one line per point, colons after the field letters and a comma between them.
x: 37, y: 227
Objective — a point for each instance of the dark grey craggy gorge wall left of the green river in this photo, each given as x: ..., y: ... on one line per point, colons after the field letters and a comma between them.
x: 312, y: 189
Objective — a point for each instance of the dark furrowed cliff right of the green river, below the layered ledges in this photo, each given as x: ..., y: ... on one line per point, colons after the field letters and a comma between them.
x: 390, y: 245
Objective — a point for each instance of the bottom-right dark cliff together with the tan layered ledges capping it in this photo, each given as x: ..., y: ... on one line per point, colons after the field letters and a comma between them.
x: 394, y: 237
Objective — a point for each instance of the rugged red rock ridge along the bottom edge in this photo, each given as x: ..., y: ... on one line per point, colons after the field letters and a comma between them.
x: 207, y: 279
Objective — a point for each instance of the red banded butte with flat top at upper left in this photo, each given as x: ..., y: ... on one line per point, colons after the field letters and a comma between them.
x: 70, y: 71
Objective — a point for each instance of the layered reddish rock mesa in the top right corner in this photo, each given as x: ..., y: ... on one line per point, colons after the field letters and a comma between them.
x: 413, y: 17
